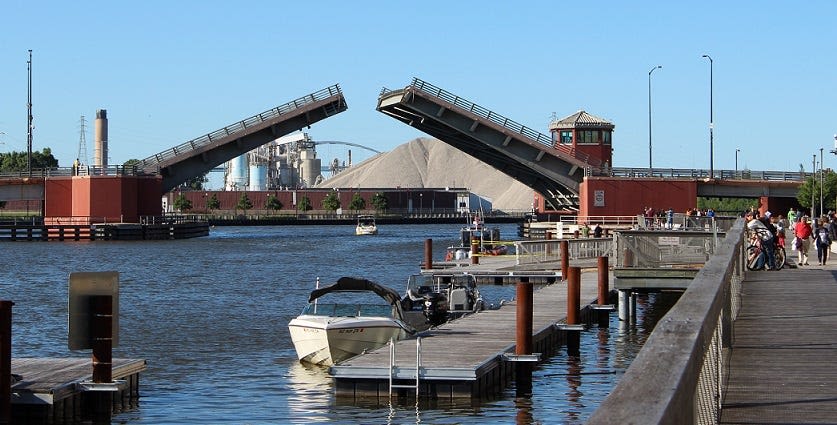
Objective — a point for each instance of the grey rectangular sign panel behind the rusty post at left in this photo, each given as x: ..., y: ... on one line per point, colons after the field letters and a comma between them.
x: 83, y: 285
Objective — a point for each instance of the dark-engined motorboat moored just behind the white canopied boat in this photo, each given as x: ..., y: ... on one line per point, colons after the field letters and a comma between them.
x: 442, y: 297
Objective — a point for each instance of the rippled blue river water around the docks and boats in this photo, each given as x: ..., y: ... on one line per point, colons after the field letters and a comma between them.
x: 210, y: 316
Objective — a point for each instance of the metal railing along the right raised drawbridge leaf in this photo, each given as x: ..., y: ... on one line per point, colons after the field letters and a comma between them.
x: 513, y: 126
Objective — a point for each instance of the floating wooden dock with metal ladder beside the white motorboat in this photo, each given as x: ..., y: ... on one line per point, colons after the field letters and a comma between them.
x: 463, y: 358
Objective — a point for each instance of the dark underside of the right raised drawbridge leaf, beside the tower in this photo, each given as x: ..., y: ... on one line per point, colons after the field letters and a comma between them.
x: 531, y: 163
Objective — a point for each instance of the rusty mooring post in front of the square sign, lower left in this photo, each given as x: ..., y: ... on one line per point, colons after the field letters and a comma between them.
x: 101, y: 308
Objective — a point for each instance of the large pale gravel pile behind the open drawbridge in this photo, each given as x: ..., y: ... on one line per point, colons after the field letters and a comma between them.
x: 428, y: 162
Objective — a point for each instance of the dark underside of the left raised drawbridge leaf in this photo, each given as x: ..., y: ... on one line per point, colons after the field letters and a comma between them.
x: 196, y: 161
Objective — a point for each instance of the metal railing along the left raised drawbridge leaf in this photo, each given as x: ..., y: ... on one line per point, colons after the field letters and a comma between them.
x: 240, y: 126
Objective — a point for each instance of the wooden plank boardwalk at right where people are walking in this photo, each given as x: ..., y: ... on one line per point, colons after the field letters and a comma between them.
x: 783, y: 363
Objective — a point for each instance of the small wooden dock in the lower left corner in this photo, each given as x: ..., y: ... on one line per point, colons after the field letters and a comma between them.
x: 53, y: 390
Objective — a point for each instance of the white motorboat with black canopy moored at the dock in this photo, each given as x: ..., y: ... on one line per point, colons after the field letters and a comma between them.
x: 329, y: 333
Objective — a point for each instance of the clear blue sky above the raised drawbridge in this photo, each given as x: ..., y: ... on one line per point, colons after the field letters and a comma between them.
x: 170, y: 71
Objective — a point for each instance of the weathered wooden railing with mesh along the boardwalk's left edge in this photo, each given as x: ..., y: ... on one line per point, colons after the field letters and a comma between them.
x: 678, y: 375
